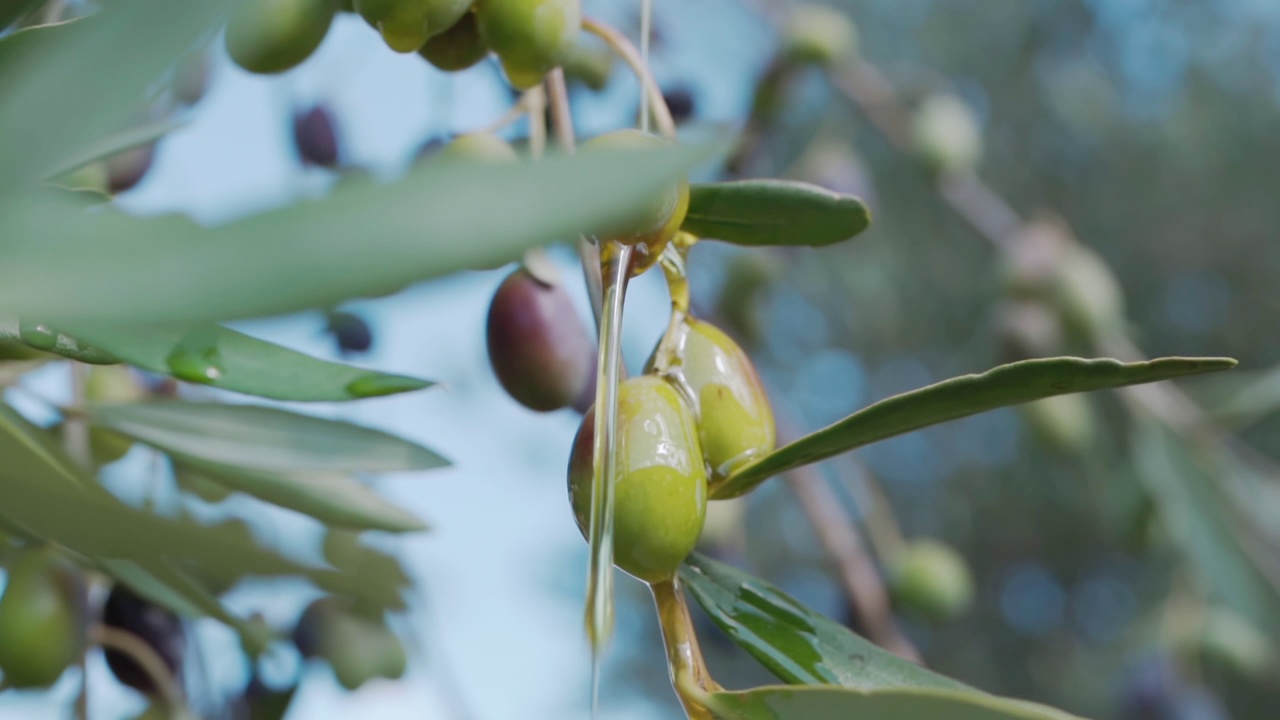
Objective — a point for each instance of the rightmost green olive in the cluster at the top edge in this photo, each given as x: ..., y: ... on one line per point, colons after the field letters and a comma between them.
x: 532, y: 38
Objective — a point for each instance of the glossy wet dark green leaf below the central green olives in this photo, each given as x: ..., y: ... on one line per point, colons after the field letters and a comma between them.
x: 796, y: 644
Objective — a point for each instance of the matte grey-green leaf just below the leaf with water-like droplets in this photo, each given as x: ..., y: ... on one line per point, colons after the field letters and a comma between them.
x: 266, y: 439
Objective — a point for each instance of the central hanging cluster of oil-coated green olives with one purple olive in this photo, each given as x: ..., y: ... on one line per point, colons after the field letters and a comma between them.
x: 697, y: 414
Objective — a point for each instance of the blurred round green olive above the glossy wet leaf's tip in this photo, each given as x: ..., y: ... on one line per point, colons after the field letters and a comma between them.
x: 931, y: 580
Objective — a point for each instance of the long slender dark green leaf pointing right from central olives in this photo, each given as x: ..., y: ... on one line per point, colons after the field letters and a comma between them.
x: 961, y: 398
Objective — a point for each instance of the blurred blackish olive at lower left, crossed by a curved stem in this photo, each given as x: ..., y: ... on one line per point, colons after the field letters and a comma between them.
x: 150, y: 623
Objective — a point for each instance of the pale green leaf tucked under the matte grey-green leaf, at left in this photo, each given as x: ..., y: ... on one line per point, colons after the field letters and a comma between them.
x: 335, y: 499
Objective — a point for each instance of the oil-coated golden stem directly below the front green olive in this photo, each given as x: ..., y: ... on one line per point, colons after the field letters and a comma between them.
x: 688, y: 669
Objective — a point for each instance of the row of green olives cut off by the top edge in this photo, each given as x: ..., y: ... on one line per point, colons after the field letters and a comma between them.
x: 529, y: 37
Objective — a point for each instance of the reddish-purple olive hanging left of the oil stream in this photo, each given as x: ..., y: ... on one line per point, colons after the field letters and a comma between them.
x: 538, y: 345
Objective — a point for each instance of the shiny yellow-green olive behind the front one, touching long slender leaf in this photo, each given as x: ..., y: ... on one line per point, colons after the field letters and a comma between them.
x: 735, y: 421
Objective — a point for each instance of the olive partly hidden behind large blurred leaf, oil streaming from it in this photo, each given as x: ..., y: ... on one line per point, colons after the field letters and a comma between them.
x: 653, y: 227
